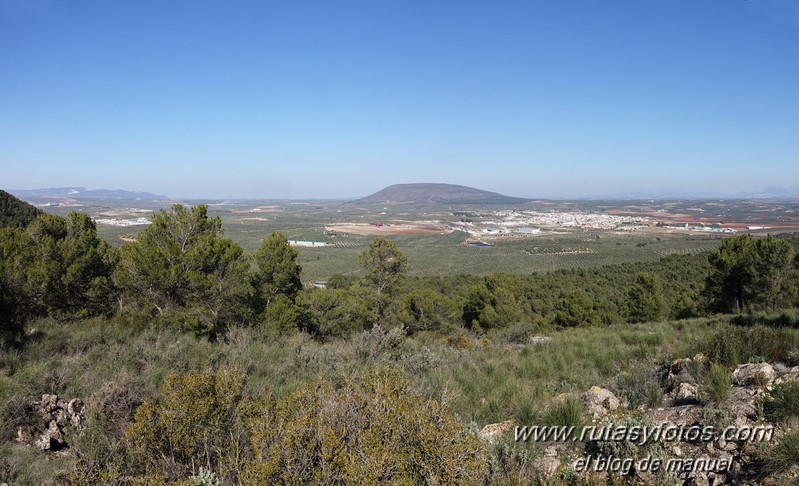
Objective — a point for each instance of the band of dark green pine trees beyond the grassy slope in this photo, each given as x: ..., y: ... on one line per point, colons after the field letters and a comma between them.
x: 182, y: 271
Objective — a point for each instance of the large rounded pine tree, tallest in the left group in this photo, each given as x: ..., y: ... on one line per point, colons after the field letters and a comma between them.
x: 181, y: 269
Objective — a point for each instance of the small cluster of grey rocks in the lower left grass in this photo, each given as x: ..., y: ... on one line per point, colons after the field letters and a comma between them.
x: 54, y: 418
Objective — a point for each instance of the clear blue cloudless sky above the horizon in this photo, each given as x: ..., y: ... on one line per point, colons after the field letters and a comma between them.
x: 297, y: 98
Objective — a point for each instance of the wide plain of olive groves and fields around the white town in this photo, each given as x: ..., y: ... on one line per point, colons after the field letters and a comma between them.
x: 538, y: 236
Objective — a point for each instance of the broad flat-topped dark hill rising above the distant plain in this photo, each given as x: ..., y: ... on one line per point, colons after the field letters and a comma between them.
x: 431, y: 193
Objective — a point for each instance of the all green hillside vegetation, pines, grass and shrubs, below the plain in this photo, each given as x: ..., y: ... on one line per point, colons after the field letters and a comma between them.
x: 200, y: 364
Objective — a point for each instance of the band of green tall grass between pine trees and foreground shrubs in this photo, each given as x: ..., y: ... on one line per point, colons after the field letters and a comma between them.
x: 484, y: 382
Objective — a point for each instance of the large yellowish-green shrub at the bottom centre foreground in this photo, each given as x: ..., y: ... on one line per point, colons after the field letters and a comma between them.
x: 368, y: 430
